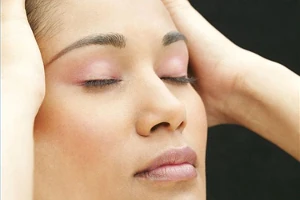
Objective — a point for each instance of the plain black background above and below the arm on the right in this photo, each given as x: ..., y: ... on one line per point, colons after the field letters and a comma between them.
x: 240, y: 164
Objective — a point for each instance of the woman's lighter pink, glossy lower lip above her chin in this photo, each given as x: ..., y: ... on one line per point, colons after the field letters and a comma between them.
x: 181, y: 172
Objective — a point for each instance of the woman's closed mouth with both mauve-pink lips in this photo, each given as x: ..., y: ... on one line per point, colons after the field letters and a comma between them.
x: 172, y: 165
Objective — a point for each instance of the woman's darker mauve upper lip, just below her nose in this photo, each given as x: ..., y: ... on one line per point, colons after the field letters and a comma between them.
x: 175, y: 156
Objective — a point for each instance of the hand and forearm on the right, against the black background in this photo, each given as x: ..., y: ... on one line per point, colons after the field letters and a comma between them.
x: 238, y: 86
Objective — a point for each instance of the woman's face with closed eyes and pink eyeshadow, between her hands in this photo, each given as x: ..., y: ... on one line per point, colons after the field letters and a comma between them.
x: 115, y: 101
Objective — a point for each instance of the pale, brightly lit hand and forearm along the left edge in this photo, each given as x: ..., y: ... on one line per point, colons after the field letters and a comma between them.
x: 23, y: 89
